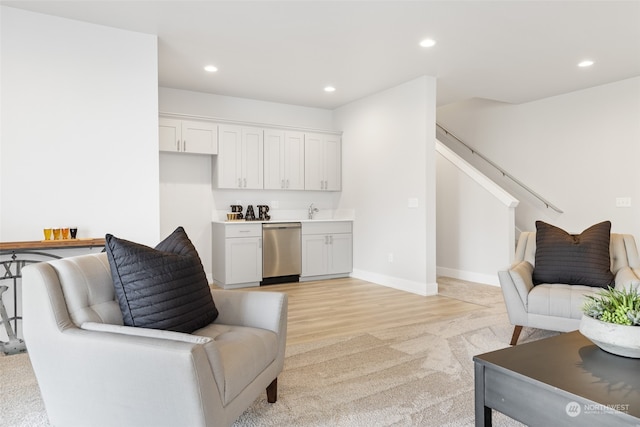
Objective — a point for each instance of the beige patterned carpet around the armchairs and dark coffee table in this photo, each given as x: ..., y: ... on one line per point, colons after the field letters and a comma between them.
x: 416, y: 375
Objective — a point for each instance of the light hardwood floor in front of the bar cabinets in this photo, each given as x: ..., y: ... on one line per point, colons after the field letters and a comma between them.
x: 342, y: 307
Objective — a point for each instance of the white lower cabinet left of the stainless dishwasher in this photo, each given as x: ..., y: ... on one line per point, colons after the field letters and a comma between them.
x: 237, y: 254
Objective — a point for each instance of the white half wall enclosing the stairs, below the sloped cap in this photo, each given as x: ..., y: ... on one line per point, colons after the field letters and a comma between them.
x: 475, y: 227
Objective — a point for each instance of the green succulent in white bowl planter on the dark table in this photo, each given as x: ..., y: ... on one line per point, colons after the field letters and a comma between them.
x: 611, y: 320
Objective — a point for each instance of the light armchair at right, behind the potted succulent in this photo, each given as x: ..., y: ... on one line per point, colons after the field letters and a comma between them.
x: 558, y: 307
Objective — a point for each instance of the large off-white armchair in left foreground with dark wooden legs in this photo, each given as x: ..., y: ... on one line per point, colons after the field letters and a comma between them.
x: 92, y: 371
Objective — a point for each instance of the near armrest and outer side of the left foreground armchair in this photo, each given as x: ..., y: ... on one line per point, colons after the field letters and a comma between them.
x: 168, y: 378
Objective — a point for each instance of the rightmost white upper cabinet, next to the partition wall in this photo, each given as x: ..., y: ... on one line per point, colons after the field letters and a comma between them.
x: 322, y: 162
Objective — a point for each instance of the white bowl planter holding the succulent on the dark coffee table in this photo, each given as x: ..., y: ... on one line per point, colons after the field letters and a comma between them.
x: 622, y: 340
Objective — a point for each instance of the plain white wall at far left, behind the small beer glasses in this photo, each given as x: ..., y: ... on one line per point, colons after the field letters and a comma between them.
x: 79, y: 138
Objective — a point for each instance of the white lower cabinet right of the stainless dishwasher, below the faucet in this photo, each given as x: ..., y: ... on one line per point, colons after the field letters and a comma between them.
x: 327, y: 249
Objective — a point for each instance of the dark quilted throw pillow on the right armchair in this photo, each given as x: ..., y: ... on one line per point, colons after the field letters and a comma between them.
x: 573, y: 259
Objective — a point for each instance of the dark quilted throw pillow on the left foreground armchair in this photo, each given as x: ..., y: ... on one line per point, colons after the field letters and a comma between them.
x: 163, y: 287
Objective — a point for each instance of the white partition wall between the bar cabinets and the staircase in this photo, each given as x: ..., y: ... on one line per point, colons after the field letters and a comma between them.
x: 389, y: 157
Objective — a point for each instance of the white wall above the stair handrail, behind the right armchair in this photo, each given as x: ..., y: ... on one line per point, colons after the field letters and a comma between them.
x: 579, y: 150
